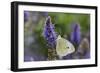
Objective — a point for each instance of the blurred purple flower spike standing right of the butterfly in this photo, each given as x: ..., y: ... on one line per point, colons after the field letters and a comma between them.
x: 76, y: 34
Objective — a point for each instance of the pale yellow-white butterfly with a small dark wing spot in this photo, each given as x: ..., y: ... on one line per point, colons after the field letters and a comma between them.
x: 63, y: 47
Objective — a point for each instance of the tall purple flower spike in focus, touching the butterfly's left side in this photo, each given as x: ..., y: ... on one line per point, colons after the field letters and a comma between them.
x: 49, y: 33
